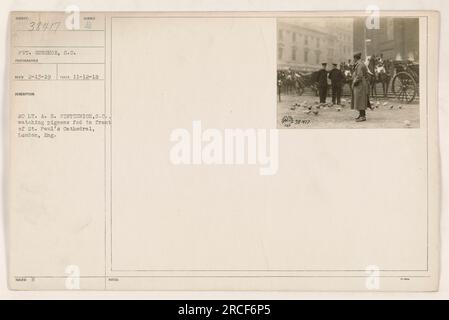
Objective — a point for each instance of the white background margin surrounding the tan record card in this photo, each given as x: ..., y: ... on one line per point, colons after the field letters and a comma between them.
x: 192, y: 5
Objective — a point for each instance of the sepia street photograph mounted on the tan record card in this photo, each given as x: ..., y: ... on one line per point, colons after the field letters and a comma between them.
x: 349, y: 72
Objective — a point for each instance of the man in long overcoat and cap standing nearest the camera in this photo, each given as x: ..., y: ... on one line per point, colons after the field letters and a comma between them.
x: 359, y: 87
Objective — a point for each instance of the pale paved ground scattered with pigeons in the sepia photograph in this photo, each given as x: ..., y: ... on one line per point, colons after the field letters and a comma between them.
x: 390, y: 113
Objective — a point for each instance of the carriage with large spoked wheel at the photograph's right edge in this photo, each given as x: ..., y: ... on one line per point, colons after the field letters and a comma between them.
x: 405, y: 82
